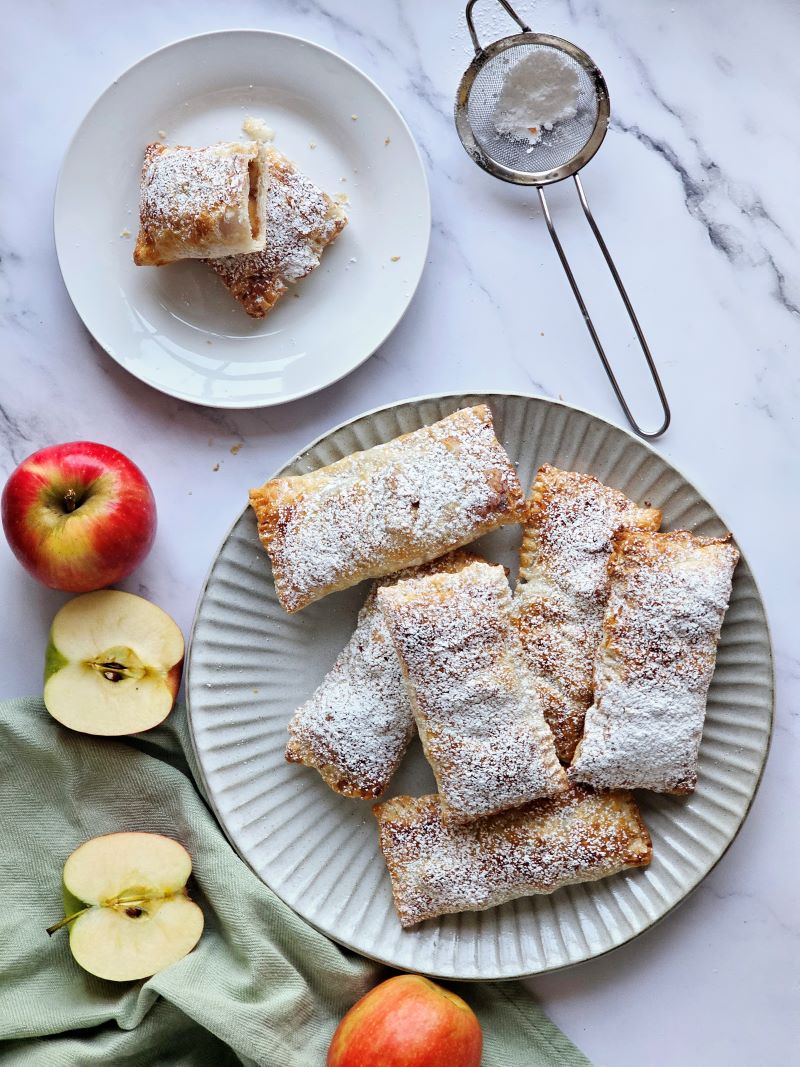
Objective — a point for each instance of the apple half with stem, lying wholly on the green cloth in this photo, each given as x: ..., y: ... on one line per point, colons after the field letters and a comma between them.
x: 127, y: 907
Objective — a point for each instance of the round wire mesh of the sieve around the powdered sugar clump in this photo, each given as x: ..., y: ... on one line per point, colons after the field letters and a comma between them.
x: 558, y: 146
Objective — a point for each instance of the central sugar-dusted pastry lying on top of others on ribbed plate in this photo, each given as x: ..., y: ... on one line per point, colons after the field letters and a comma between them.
x: 476, y: 709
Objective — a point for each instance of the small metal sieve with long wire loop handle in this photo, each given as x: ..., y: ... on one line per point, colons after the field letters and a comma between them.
x: 561, y: 154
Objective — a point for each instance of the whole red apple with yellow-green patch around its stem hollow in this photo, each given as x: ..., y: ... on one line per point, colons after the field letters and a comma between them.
x: 79, y: 517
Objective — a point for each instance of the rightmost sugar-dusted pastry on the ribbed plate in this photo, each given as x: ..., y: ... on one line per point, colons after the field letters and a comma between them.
x: 669, y: 596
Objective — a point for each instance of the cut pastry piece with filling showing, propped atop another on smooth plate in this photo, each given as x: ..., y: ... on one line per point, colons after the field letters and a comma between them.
x: 201, y: 202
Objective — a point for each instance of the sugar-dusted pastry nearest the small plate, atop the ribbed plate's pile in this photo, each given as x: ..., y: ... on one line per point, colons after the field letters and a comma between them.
x: 394, y: 506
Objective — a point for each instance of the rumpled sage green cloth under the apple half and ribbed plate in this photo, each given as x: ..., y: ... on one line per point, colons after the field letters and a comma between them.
x: 261, y: 989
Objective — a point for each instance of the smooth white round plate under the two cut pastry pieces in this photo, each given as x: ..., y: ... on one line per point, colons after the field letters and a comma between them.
x: 177, y: 327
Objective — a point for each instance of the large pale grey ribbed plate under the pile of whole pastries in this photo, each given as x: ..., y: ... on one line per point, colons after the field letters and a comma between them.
x: 251, y: 665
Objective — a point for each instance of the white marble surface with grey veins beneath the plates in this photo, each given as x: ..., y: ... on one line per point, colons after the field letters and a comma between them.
x: 696, y: 188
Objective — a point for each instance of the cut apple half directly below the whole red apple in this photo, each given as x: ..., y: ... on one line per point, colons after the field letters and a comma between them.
x: 114, y: 664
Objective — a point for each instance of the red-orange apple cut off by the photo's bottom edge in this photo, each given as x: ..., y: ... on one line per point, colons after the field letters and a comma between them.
x: 408, y: 1022
